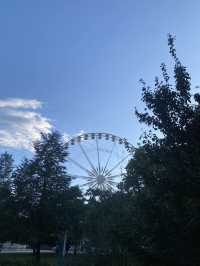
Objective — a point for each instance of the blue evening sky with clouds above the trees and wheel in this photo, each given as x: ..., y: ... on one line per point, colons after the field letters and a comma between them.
x: 75, y: 65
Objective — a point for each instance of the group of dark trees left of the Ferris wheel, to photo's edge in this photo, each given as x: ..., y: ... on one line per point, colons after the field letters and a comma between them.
x: 37, y: 203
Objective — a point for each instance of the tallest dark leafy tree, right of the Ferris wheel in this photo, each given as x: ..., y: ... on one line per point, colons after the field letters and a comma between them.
x: 163, y: 177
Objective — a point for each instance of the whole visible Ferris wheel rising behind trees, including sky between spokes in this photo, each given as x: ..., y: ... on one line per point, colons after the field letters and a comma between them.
x: 98, y: 160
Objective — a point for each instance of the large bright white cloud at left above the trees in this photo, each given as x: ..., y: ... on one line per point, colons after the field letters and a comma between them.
x: 20, y: 125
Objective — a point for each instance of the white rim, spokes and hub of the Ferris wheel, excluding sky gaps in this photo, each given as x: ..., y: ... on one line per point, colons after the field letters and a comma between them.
x: 96, y: 174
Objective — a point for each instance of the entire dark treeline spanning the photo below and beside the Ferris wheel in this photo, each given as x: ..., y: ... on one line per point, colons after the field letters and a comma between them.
x: 154, y: 217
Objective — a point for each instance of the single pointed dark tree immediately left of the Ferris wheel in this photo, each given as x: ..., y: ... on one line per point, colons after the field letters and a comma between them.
x: 45, y: 200
